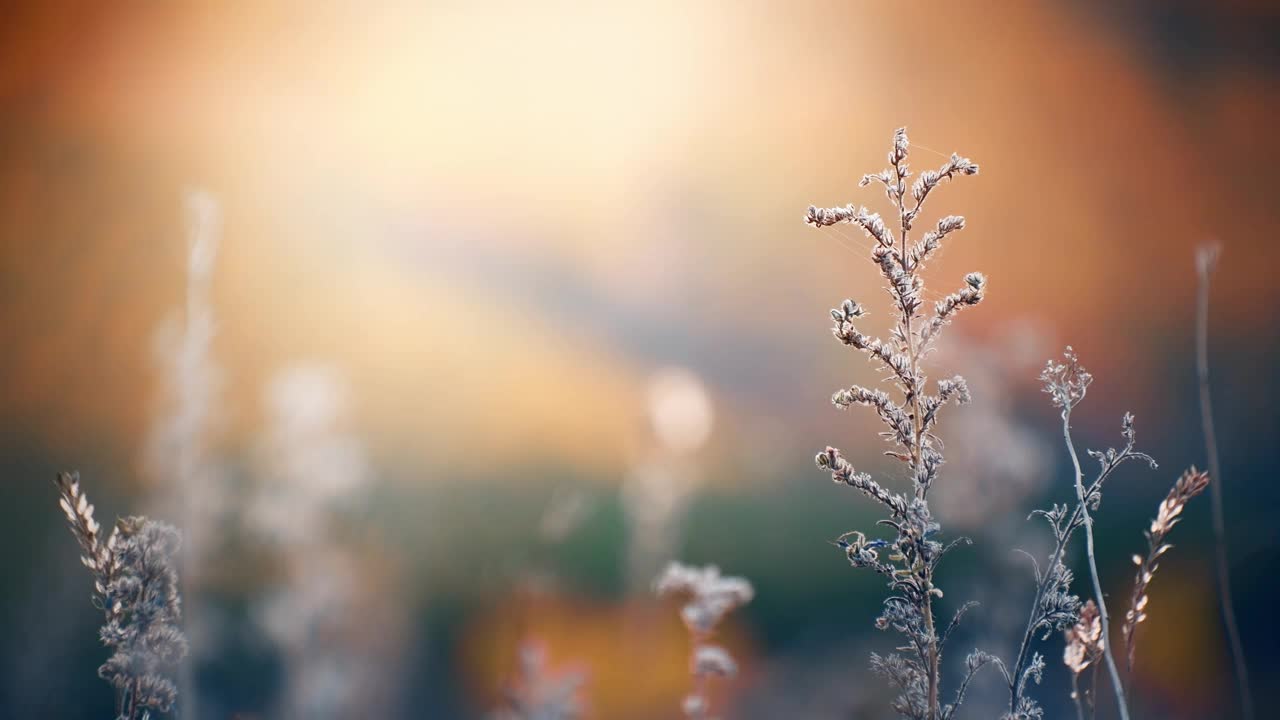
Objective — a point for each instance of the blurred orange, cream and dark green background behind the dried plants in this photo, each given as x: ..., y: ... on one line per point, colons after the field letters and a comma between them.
x: 465, y: 318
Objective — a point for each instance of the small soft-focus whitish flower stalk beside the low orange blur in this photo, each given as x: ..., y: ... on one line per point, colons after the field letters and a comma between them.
x: 710, y: 596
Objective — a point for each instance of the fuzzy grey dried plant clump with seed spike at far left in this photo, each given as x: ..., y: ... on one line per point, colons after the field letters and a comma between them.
x: 136, y: 587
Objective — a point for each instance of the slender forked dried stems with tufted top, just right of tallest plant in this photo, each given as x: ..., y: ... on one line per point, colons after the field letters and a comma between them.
x: 1055, y: 608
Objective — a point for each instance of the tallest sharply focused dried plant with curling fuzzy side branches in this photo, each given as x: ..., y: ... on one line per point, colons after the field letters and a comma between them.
x: 909, y: 560
